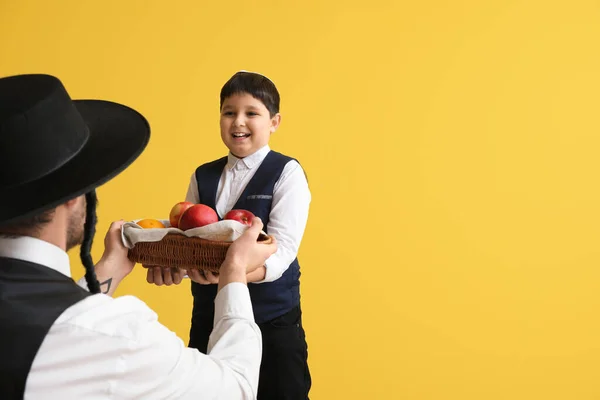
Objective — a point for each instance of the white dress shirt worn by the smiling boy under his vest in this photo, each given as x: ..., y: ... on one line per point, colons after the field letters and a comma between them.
x: 289, y: 210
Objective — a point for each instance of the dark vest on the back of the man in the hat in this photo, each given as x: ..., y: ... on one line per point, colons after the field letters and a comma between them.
x: 32, y: 297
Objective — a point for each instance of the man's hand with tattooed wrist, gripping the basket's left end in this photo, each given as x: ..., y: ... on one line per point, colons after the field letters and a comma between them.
x: 114, y: 264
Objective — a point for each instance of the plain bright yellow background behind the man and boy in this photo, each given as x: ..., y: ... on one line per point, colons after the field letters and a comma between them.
x: 452, y: 151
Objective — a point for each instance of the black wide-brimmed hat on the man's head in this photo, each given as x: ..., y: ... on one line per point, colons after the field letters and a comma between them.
x: 53, y: 148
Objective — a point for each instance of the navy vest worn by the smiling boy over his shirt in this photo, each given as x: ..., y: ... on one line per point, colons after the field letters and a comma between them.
x: 269, y: 299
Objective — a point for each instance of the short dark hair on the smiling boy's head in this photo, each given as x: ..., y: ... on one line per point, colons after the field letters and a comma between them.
x: 256, y: 85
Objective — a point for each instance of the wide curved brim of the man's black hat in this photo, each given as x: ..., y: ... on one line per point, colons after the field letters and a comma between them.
x: 118, y: 135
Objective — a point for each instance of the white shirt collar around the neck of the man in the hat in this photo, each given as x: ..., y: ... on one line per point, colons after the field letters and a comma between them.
x: 37, y: 251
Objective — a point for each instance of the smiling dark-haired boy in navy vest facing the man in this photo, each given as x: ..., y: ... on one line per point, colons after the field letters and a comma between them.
x: 273, y: 187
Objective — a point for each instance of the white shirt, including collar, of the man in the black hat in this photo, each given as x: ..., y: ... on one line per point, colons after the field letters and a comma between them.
x: 105, y: 348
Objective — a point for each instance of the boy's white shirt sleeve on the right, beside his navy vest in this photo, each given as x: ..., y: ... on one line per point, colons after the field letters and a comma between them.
x: 288, y: 218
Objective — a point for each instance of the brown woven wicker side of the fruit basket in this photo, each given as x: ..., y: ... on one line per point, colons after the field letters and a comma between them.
x: 178, y: 251
